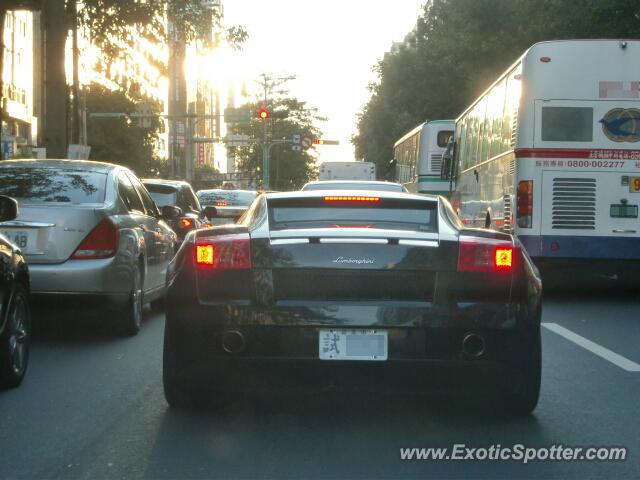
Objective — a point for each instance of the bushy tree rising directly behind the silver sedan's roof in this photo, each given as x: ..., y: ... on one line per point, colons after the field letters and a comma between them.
x: 121, y: 140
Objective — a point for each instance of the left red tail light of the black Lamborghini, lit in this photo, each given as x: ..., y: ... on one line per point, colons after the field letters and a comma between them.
x: 224, y: 252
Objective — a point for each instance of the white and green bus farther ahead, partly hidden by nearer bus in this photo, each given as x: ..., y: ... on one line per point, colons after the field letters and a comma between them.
x: 418, y: 154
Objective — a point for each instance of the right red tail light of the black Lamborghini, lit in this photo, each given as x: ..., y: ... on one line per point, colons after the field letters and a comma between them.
x: 485, y: 255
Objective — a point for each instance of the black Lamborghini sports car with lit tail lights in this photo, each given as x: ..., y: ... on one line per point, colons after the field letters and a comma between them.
x: 378, y: 291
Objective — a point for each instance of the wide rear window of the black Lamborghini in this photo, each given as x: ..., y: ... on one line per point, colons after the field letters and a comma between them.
x: 393, y: 214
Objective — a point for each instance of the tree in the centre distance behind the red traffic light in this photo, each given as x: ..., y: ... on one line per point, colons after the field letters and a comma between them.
x: 288, y: 169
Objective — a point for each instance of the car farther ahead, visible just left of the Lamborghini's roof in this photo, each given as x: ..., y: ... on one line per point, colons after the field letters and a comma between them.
x: 226, y: 205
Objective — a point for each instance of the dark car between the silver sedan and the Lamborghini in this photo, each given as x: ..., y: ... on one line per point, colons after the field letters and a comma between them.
x: 178, y: 194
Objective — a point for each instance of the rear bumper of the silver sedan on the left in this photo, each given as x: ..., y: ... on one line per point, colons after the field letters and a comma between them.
x: 100, y: 277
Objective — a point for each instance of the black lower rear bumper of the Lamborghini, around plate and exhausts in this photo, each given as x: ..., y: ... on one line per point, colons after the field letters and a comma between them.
x: 286, y: 357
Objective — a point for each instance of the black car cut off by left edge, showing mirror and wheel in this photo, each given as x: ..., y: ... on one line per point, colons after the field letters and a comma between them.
x: 15, y: 316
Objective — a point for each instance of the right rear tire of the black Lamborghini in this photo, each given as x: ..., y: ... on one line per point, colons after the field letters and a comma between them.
x: 522, y: 389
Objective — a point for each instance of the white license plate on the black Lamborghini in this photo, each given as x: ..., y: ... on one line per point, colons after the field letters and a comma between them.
x: 353, y: 344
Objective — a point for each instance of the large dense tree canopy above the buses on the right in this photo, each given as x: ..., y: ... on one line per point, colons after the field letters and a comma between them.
x: 459, y: 47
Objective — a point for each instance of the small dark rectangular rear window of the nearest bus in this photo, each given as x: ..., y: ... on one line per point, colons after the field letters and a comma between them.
x: 567, y: 124
